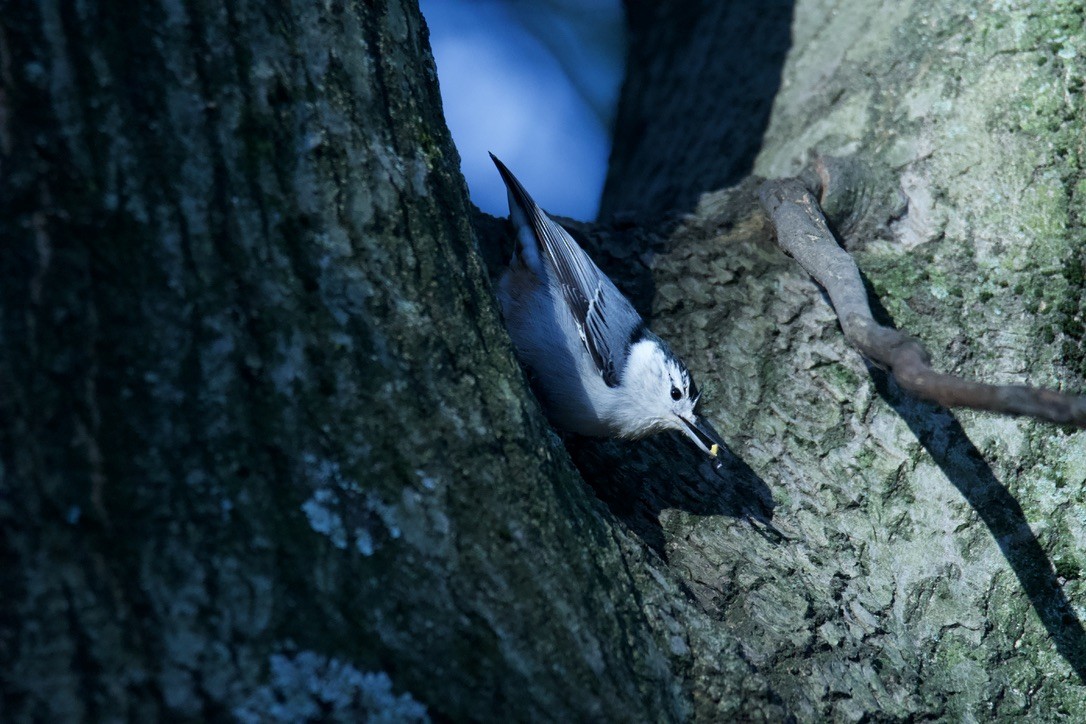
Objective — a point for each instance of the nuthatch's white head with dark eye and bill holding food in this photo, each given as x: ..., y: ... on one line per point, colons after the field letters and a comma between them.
x: 661, y: 395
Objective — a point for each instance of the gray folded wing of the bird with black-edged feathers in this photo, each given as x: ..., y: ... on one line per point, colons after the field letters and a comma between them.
x: 607, y: 321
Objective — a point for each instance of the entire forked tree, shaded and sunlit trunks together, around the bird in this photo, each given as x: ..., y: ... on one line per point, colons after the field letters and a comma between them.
x: 267, y: 450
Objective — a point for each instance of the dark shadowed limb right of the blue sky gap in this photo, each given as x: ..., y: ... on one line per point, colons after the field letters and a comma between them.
x: 700, y: 85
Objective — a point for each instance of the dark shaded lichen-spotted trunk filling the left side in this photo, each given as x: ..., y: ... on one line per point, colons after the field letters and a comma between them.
x: 263, y: 433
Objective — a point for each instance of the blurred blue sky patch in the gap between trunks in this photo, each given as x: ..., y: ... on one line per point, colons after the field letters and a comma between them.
x: 536, y: 83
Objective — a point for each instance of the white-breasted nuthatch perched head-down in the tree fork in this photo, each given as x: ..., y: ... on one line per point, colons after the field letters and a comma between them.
x: 597, y: 367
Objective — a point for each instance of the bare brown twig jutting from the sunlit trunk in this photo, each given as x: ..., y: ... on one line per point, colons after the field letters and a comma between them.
x: 802, y: 232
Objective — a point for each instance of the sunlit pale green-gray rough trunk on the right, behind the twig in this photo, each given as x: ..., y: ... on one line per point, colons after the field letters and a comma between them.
x: 933, y: 567
